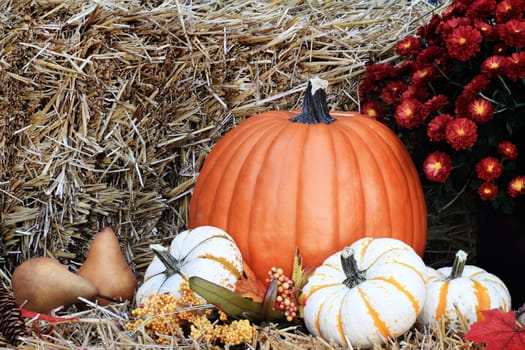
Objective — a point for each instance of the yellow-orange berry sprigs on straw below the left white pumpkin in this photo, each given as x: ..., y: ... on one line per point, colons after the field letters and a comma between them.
x: 163, y: 315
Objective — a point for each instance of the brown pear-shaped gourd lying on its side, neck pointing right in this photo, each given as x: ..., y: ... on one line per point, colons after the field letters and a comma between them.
x: 42, y: 284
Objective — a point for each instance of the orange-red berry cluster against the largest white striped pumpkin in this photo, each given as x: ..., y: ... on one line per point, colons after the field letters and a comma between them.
x: 286, y: 300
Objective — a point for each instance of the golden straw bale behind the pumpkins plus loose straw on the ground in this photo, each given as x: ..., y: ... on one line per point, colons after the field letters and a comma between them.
x: 108, y: 109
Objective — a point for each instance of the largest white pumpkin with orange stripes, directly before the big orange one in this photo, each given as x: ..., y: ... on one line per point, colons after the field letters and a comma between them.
x: 368, y: 292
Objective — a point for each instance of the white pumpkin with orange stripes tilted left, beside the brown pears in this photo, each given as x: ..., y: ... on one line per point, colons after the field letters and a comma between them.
x: 206, y: 251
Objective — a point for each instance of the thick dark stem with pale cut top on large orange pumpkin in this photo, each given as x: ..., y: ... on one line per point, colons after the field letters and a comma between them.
x: 315, y: 109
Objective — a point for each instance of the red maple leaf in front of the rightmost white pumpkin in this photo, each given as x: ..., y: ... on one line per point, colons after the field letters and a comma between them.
x: 498, y: 331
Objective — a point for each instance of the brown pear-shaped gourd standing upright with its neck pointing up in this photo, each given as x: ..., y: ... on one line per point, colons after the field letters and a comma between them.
x: 106, y: 267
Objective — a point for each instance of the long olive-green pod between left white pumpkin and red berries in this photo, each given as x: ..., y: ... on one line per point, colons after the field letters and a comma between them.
x: 233, y: 304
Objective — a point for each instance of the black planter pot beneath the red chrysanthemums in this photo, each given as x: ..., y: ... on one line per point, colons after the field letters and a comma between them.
x: 501, y: 248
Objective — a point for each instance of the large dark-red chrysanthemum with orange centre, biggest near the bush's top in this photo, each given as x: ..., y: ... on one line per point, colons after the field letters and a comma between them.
x: 464, y: 42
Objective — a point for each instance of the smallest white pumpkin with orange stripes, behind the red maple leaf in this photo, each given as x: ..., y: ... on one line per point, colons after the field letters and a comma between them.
x: 467, y: 288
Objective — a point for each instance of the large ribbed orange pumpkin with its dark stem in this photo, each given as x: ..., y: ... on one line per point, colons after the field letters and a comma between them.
x: 312, y: 180
